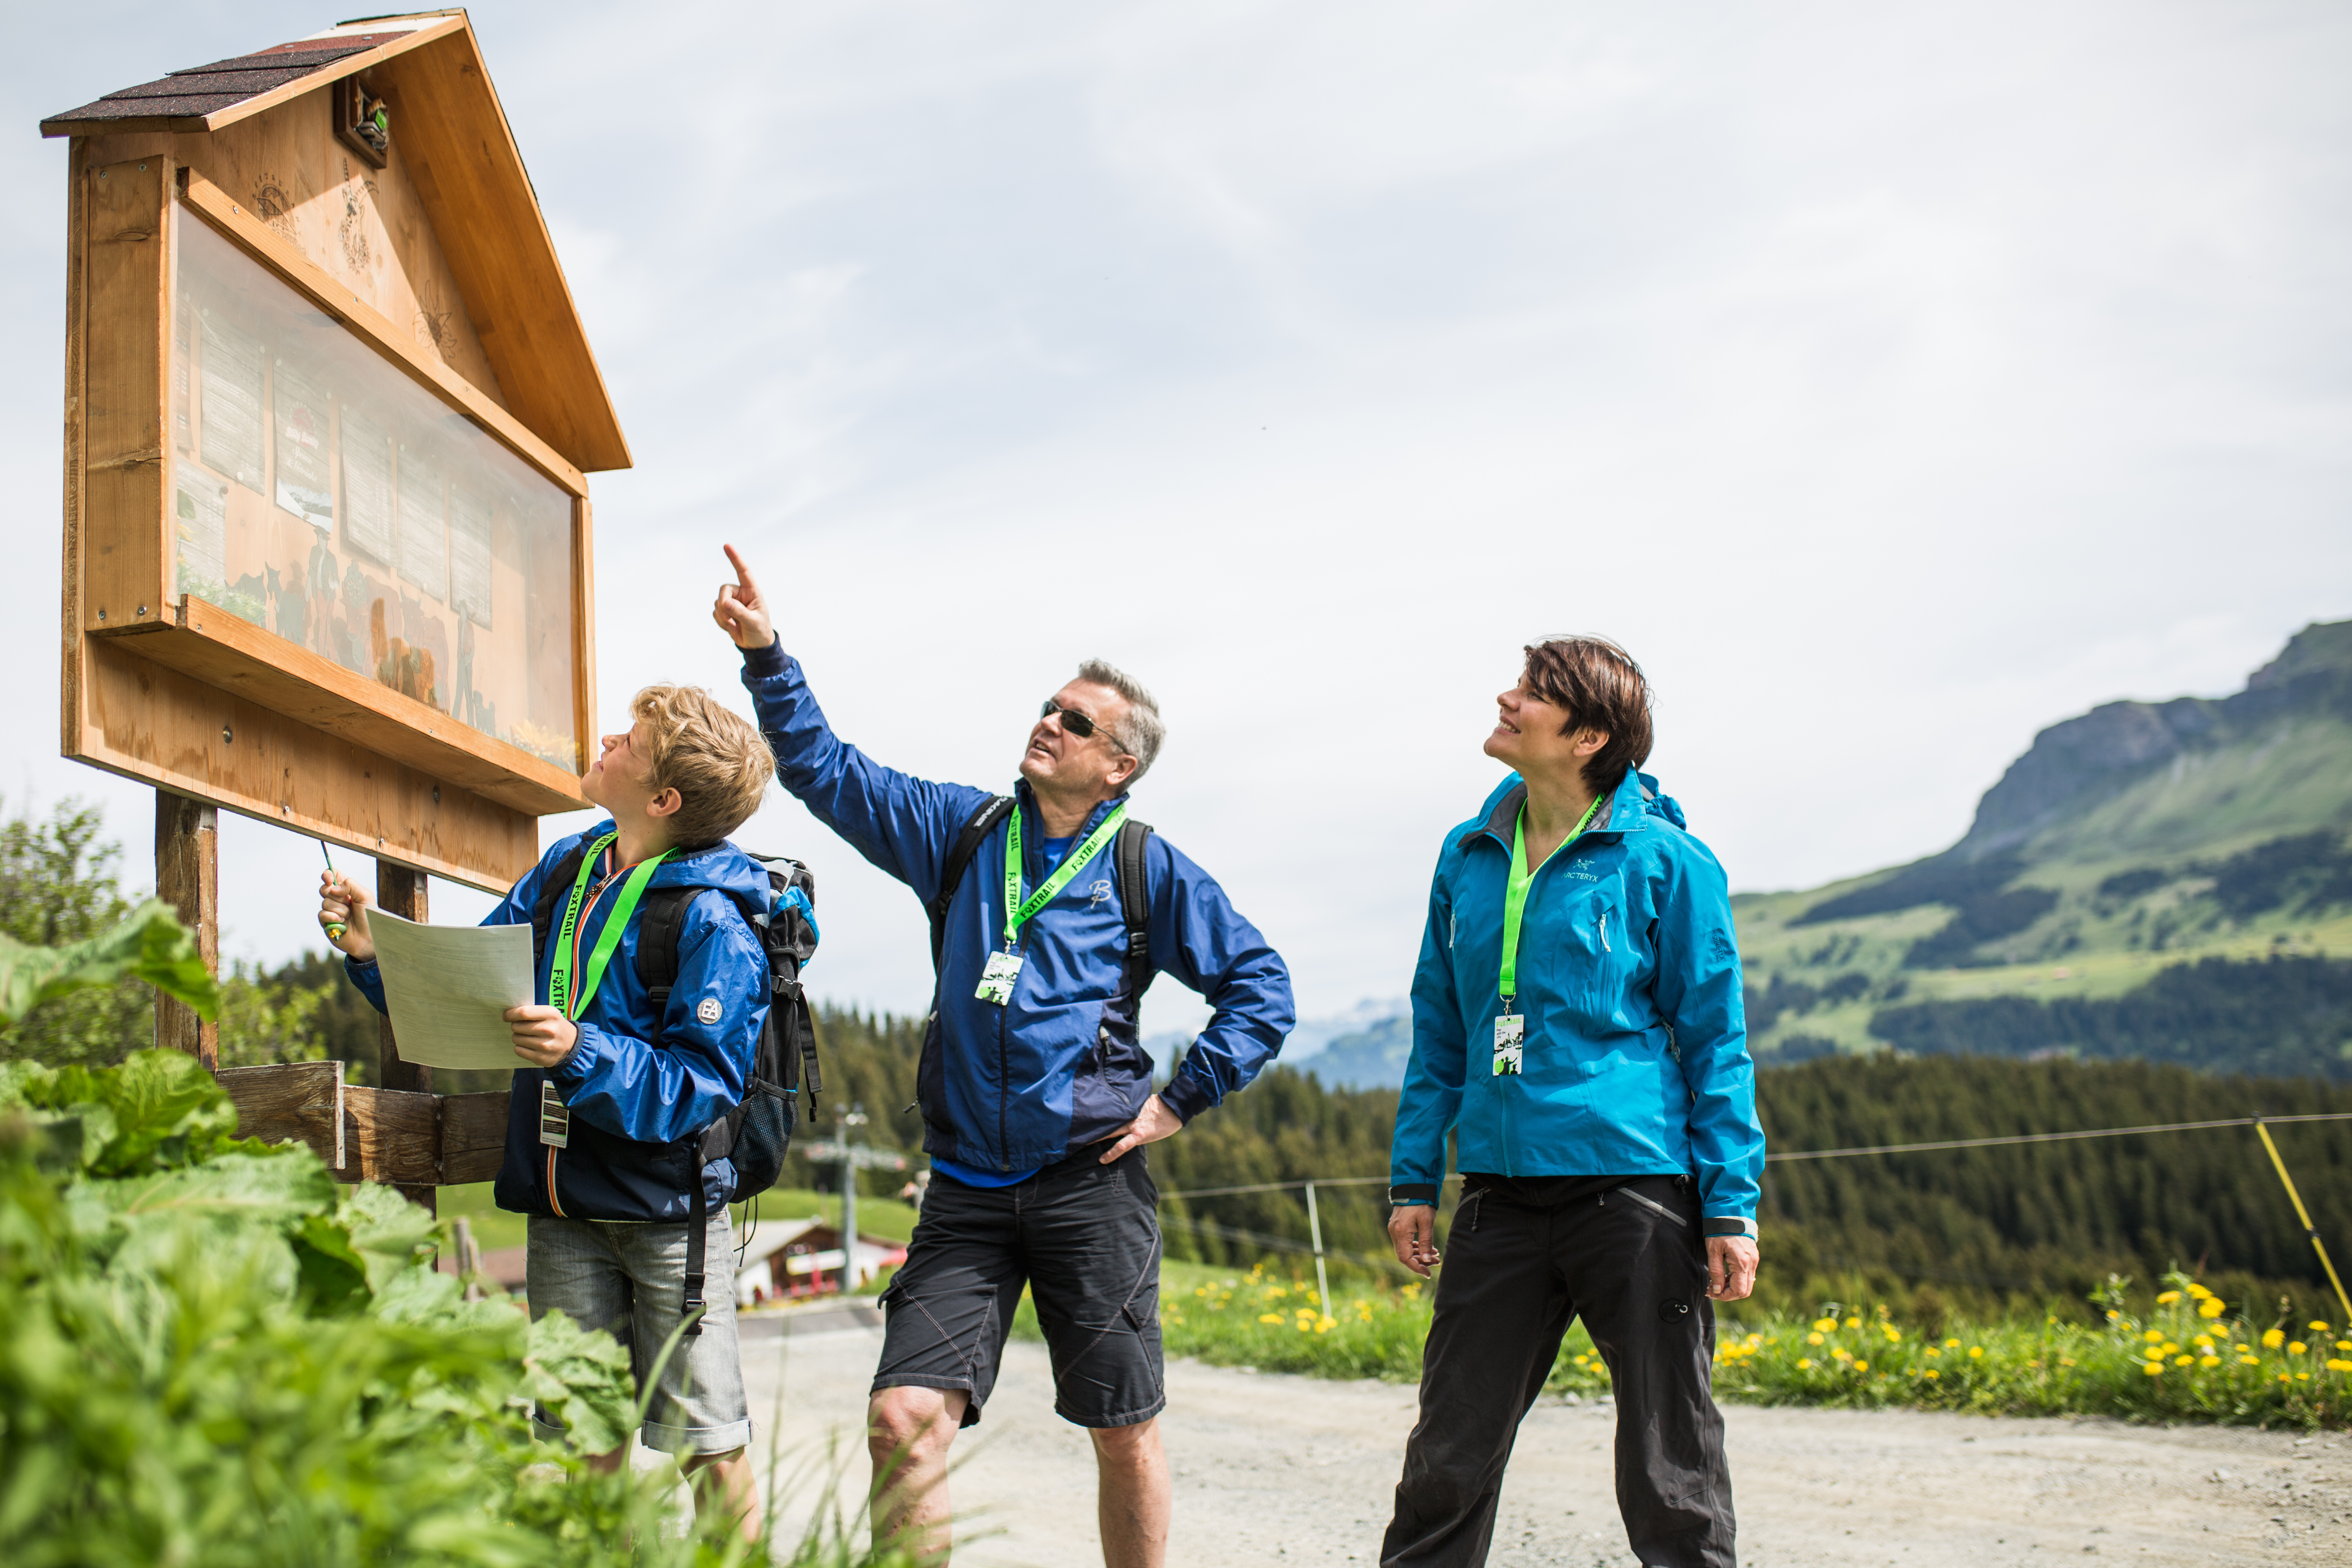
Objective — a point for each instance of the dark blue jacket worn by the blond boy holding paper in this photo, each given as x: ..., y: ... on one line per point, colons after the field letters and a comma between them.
x: 641, y: 1087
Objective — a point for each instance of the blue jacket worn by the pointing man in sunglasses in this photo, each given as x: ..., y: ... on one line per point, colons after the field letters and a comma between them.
x: 1027, y: 1085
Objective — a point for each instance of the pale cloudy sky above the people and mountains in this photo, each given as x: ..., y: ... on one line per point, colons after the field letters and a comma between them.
x: 1892, y: 380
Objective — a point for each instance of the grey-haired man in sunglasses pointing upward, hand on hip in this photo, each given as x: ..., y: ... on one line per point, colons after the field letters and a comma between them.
x: 1034, y: 1087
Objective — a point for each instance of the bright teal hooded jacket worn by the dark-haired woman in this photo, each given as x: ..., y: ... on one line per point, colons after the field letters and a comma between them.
x: 1631, y: 984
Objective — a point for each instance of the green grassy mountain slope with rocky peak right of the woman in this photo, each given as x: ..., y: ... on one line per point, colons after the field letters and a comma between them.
x: 2130, y: 840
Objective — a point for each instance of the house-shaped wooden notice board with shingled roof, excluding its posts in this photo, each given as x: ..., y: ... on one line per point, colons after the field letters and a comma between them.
x: 328, y: 427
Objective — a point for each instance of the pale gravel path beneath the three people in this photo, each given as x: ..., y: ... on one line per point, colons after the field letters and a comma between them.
x: 1299, y: 1470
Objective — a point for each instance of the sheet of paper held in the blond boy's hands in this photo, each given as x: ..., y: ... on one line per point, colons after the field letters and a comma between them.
x: 450, y: 986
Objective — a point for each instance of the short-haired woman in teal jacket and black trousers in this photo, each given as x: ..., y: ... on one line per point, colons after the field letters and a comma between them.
x: 1579, y: 1033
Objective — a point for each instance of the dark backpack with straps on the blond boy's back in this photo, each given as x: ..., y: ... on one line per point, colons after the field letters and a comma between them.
x: 759, y: 1132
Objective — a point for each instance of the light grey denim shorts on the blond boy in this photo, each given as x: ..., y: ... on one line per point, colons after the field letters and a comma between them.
x: 632, y: 1282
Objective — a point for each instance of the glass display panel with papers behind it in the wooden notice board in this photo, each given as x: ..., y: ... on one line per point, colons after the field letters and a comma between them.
x: 326, y: 497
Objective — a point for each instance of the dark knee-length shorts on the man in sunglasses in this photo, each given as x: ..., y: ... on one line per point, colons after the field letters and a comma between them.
x: 1085, y: 1238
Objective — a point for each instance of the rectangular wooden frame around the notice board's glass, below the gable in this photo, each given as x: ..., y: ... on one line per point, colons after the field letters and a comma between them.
x: 206, y: 704
